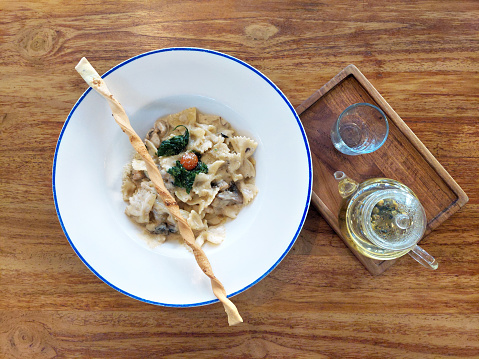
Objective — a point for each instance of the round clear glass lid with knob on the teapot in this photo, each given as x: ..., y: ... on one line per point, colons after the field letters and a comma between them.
x: 393, y: 219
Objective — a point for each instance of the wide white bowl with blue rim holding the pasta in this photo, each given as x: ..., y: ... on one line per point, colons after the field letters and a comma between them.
x: 92, y: 150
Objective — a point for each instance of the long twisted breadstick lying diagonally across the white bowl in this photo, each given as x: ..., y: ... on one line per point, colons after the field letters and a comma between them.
x: 94, y: 80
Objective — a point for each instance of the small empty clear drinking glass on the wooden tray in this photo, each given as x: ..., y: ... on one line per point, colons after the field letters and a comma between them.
x: 361, y: 128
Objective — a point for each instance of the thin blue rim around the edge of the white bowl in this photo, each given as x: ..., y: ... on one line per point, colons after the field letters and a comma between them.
x: 306, y: 207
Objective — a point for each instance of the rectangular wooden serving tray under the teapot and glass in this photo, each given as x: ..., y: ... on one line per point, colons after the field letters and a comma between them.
x: 402, y: 157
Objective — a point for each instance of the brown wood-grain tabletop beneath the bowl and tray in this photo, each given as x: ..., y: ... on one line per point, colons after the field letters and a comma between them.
x: 320, y: 302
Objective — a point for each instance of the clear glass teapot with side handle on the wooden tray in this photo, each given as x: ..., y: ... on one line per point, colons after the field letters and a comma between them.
x: 382, y: 219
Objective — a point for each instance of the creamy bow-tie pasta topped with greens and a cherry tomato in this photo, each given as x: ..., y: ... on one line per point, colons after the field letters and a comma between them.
x: 207, y: 167
